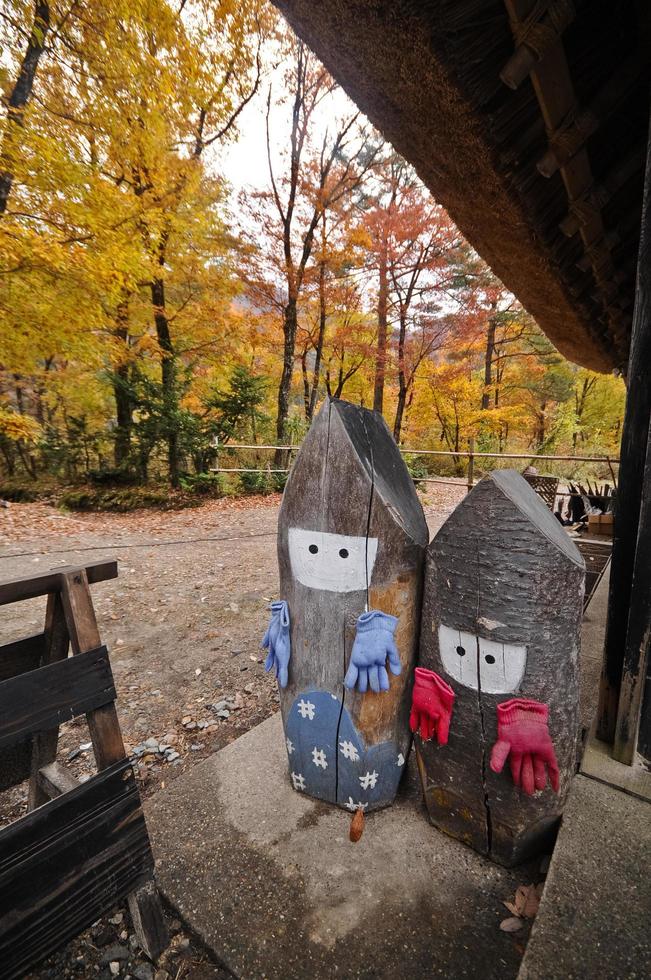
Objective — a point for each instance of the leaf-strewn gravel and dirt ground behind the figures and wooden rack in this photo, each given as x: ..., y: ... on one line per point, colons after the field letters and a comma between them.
x: 182, y: 623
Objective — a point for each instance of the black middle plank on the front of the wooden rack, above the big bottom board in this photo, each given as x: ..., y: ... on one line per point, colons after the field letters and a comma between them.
x: 46, y: 697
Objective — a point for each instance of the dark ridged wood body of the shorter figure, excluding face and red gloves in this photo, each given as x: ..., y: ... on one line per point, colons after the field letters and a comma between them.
x: 501, y: 569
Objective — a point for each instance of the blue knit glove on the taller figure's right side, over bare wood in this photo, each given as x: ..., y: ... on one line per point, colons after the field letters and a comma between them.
x: 373, y: 644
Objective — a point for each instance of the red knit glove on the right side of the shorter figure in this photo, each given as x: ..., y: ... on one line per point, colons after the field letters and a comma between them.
x: 522, y: 732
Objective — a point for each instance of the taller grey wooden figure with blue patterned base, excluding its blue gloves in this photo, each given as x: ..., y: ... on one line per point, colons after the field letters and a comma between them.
x: 351, y: 535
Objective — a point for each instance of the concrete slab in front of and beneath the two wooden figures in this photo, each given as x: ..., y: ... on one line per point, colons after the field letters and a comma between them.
x: 270, y: 881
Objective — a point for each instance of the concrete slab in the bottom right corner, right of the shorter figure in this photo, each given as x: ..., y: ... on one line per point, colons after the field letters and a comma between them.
x: 593, y: 920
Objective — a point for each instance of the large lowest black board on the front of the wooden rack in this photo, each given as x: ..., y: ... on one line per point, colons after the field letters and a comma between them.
x: 66, y: 863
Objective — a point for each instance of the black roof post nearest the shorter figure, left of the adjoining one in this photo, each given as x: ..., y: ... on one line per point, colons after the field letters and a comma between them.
x: 631, y: 477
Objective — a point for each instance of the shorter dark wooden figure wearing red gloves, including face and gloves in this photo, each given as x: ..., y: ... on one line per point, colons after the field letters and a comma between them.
x: 496, y: 694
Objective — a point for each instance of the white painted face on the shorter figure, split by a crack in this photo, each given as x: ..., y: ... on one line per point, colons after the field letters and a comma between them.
x: 501, y: 665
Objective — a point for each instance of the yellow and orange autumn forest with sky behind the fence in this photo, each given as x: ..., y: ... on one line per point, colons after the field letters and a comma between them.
x: 201, y: 238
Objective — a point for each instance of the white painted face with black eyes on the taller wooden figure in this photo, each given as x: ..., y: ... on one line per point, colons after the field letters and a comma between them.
x: 333, y: 562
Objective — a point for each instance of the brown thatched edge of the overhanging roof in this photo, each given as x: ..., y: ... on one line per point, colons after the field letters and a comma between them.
x: 384, y: 56
